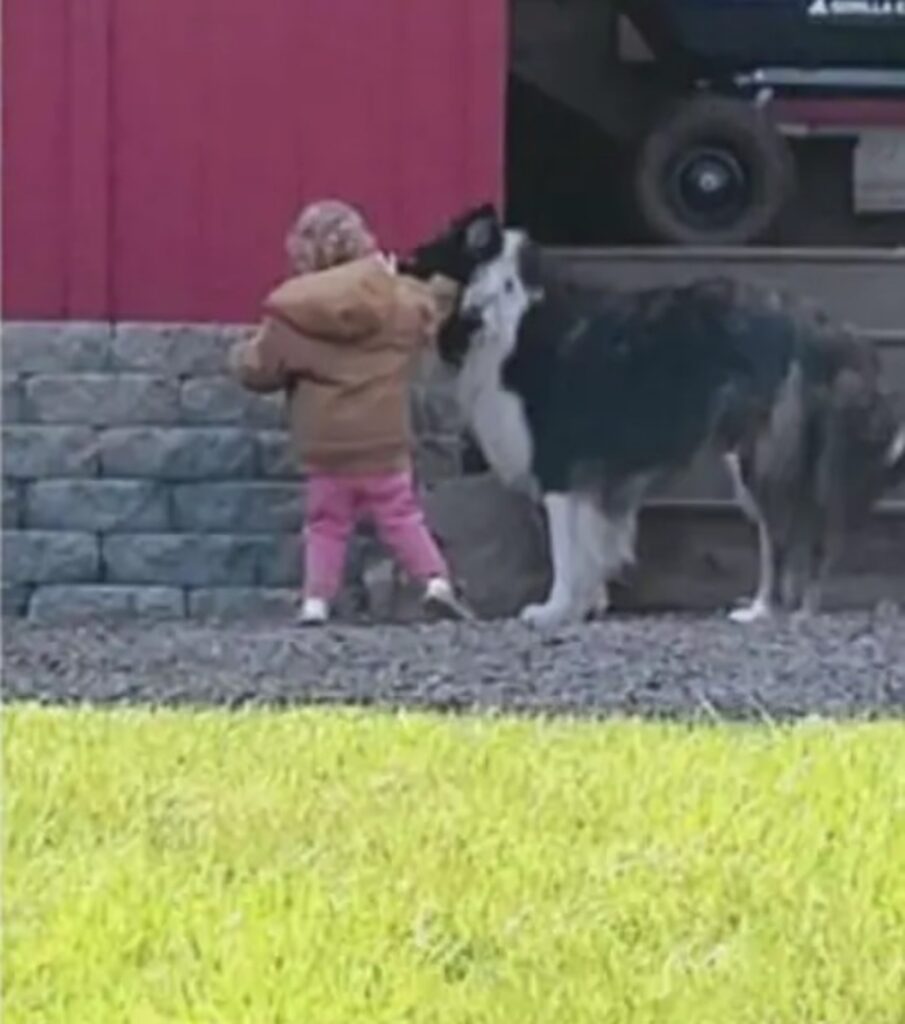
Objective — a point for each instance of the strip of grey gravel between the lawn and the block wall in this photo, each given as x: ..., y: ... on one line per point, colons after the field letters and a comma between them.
x: 658, y: 666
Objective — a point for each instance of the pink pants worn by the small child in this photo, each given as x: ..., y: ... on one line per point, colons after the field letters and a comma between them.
x: 335, y: 504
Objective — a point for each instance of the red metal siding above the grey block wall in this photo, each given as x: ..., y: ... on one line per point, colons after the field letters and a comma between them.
x: 155, y: 150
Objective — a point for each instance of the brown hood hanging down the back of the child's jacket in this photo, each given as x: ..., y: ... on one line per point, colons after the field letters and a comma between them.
x: 346, y: 304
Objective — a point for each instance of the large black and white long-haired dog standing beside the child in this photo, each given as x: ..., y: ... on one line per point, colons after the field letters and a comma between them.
x: 587, y: 401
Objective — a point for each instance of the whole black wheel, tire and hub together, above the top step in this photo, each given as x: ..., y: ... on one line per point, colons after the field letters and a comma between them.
x: 713, y: 172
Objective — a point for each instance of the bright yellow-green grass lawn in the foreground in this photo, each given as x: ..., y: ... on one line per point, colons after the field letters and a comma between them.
x: 314, y: 867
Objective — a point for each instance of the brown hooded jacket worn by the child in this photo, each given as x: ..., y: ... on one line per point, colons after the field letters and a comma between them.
x: 342, y: 343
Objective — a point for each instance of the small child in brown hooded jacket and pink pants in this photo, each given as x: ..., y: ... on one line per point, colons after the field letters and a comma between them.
x: 342, y: 337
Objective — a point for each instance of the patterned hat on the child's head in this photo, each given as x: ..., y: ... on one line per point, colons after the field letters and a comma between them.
x: 326, y: 234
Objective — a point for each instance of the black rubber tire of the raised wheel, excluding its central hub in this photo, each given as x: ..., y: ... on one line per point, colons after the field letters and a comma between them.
x: 730, y: 126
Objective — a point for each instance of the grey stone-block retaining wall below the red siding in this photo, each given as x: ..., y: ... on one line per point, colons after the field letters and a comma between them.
x: 139, y: 479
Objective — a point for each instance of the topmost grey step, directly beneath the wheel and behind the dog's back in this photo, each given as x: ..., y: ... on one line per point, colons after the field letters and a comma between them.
x: 861, y: 286
